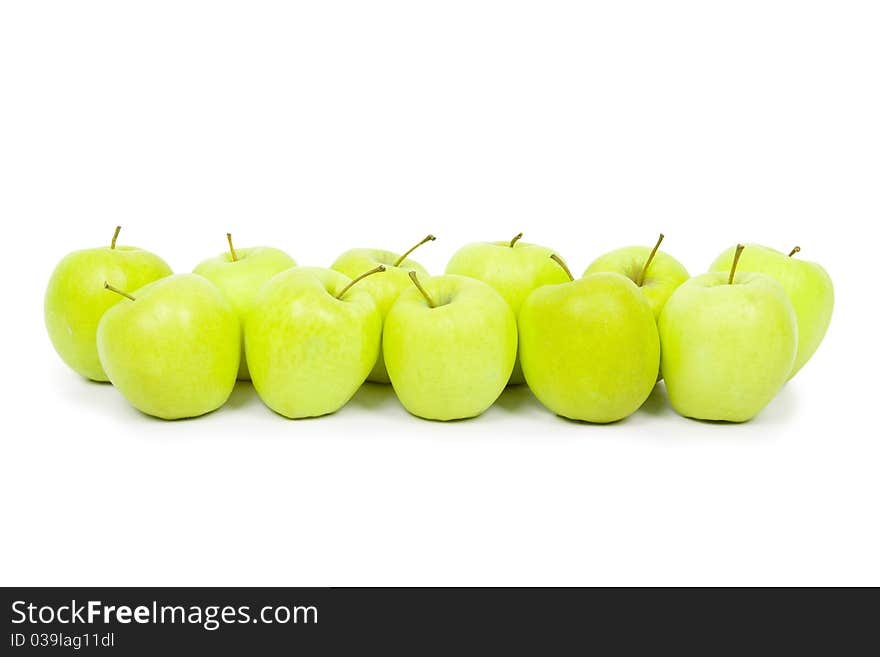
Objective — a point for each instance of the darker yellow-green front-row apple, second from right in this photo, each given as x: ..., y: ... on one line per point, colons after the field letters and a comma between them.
x: 589, y: 348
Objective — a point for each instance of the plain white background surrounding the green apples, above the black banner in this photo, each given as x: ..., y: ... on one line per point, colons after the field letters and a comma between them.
x: 317, y: 127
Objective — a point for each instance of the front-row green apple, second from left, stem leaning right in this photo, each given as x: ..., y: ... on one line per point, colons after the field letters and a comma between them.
x: 308, y: 351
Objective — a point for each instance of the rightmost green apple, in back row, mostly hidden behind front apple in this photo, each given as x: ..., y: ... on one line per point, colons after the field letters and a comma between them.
x: 807, y: 285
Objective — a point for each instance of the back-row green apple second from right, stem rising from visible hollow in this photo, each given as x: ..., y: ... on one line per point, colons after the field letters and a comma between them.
x: 656, y: 273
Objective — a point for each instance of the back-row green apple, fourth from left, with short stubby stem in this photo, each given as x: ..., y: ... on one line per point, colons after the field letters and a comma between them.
x: 512, y: 268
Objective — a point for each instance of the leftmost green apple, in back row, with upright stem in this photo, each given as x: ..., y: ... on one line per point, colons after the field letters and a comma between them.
x: 76, y: 299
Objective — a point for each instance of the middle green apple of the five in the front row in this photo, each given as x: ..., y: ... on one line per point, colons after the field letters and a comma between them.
x: 453, y: 361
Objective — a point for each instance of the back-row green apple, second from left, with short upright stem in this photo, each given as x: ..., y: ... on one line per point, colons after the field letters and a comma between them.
x: 239, y: 274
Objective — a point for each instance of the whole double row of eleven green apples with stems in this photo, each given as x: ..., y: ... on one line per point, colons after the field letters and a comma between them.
x: 504, y: 313
